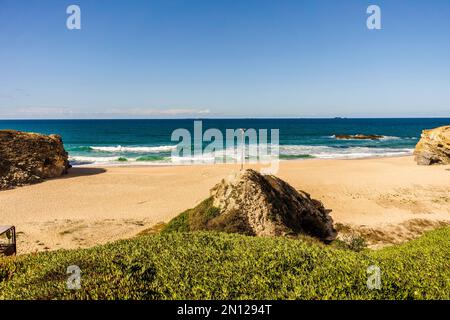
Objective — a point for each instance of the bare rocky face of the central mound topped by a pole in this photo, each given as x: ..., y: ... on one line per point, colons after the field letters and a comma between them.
x: 268, y: 206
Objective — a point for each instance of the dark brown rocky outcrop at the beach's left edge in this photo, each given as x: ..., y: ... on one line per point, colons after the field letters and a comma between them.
x: 27, y: 158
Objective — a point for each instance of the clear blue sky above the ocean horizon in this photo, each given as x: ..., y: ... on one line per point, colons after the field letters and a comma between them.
x: 224, y: 58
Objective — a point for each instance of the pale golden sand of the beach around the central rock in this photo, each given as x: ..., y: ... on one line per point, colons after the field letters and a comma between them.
x: 388, y: 200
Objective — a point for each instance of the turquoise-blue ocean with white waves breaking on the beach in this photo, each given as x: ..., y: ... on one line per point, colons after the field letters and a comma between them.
x: 139, y: 142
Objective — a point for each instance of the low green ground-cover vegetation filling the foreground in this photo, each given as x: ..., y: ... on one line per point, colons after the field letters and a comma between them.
x: 210, y: 265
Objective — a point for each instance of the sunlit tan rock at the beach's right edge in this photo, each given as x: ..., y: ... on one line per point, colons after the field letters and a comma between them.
x: 433, y: 147
